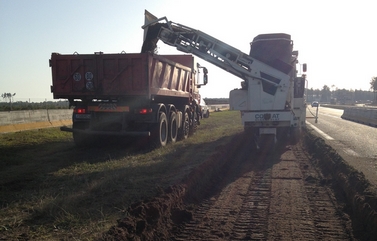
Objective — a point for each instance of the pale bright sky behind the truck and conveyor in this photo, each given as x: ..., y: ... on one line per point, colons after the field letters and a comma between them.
x: 336, y: 38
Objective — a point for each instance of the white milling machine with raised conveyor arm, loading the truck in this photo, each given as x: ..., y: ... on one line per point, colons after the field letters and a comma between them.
x: 271, y: 98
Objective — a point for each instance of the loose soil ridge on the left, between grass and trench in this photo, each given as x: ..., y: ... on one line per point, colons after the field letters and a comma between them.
x: 154, y: 219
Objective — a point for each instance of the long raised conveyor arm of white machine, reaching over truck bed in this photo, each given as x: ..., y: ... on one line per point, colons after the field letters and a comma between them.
x: 222, y: 55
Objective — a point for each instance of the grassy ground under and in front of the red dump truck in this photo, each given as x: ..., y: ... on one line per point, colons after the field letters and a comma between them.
x: 52, y: 190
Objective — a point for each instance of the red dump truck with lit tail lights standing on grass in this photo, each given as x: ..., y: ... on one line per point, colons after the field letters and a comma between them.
x: 155, y: 96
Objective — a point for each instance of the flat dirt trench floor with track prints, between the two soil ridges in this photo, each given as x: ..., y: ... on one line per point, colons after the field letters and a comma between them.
x: 275, y: 197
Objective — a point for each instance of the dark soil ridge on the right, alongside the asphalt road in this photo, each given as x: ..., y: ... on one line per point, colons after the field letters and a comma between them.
x: 357, y: 193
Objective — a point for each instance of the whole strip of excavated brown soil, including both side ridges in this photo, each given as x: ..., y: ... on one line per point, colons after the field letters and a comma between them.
x: 299, y: 191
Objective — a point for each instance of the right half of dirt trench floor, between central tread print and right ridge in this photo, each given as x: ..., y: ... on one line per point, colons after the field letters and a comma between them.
x: 301, y: 207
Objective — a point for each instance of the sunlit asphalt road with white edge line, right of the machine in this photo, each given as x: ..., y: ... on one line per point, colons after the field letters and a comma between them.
x: 355, y: 142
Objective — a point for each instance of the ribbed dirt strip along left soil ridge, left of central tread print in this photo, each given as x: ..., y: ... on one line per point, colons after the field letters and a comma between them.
x: 215, y: 217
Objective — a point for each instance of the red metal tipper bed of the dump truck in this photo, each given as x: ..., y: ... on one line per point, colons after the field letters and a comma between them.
x: 110, y: 76
